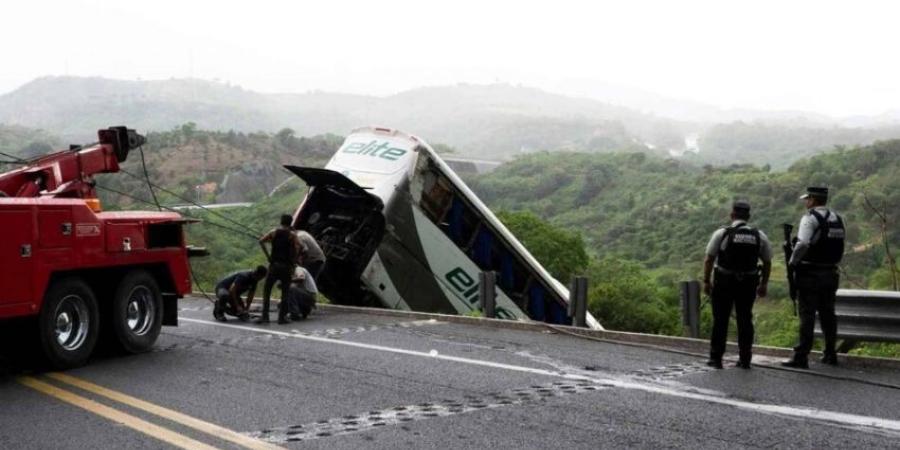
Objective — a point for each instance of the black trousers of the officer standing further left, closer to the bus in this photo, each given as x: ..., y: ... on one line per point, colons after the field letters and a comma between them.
x: 738, y: 291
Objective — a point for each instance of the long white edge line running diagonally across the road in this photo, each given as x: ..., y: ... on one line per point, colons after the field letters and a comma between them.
x: 853, y: 421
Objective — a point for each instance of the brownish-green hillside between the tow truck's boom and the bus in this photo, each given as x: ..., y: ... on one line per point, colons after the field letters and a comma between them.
x: 216, y: 167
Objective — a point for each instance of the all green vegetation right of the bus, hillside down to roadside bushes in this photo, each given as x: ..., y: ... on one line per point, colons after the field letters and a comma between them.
x: 645, y: 222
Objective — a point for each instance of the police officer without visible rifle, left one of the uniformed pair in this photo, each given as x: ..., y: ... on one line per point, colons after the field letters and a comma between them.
x: 734, y: 251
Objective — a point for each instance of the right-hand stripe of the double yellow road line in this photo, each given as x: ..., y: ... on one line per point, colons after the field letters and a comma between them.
x: 174, y: 416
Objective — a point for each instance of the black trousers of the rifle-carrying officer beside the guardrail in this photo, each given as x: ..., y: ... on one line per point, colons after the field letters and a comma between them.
x: 816, y: 289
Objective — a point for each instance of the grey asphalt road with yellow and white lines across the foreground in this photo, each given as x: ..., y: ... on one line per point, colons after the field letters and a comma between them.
x: 347, y: 380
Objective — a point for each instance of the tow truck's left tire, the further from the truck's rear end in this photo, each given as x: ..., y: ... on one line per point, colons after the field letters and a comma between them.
x: 69, y: 323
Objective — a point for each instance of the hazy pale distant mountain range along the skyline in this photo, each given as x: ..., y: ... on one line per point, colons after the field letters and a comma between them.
x: 490, y: 121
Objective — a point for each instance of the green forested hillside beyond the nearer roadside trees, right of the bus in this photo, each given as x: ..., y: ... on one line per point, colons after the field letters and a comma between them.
x: 660, y: 212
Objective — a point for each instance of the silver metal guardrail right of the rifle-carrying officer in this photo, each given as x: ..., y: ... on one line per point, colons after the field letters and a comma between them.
x: 866, y: 316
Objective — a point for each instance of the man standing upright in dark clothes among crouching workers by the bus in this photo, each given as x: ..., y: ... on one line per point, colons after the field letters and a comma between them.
x: 281, y: 266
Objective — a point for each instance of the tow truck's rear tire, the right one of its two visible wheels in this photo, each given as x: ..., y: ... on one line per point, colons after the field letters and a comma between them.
x: 137, y: 311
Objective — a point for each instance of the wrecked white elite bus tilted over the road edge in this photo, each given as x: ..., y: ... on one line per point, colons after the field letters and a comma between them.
x: 401, y: 230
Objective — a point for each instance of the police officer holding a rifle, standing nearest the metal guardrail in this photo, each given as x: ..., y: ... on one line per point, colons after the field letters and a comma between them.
x: 818, y: 251
